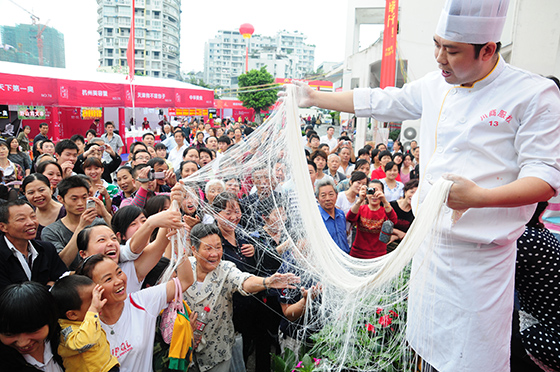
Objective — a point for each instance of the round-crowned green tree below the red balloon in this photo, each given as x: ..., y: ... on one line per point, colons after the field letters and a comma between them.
x: 260, y: 98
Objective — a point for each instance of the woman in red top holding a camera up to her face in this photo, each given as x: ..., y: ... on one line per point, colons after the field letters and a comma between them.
x: 369, y: 218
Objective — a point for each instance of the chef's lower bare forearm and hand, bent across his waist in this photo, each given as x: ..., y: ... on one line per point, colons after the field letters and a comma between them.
x: 466, y: 194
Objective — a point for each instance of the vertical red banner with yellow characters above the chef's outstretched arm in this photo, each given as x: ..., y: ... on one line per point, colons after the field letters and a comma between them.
x: 388, y: 59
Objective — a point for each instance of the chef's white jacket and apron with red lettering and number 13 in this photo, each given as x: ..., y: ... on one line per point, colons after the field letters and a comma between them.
x: 505, y: 127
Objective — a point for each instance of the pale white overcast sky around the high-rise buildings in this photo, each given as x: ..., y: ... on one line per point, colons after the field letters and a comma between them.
x: 323, y: 21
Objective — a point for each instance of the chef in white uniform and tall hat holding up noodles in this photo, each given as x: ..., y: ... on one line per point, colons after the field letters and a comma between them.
x: 493, y: 130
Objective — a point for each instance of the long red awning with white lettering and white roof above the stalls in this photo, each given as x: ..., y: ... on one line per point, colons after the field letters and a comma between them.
x: 47, y: 86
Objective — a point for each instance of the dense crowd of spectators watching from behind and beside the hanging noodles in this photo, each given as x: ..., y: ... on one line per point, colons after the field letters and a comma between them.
x: 75, y: 206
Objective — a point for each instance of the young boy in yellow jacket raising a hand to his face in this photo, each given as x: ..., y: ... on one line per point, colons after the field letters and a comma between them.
x: 83, y: 343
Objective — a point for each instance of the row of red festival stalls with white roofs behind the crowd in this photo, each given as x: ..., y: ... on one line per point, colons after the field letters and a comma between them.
x: 69, y: 102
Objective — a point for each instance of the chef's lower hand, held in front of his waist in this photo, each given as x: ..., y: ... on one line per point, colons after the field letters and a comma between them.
x: 464, y: 193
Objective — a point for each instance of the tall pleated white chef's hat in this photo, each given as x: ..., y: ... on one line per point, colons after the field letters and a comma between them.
x: 472, y: 21
